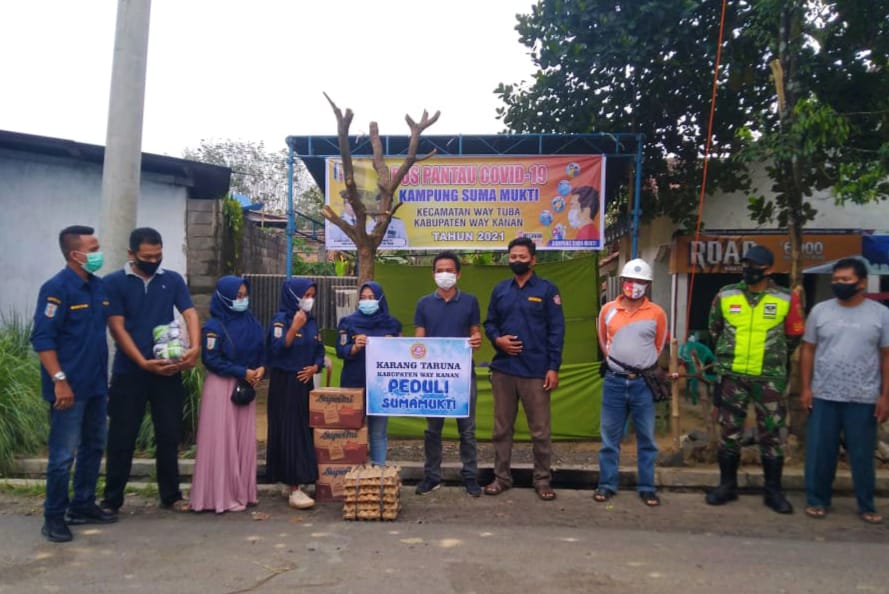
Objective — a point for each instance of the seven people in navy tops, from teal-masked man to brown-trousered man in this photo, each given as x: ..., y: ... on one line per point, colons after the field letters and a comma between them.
x: 525, y: 324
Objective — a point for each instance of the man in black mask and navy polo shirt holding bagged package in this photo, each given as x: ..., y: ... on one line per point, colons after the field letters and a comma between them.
x: 143, y: 296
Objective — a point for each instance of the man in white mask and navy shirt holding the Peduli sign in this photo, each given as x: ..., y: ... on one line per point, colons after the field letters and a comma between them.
x: 450, y: 313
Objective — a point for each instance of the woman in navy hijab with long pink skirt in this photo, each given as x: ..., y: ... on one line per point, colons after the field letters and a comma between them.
x: 225, y: 465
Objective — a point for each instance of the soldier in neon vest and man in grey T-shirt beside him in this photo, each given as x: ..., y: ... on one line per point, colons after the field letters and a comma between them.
x: 844, y: 374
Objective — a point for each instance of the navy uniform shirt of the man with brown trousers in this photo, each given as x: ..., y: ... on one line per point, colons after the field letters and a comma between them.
x: 534, y: 314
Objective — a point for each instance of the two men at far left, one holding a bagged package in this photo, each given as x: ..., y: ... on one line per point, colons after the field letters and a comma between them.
x: 87, y: 415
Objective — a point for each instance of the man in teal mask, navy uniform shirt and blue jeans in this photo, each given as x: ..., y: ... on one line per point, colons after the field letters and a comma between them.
x: 69, y: 337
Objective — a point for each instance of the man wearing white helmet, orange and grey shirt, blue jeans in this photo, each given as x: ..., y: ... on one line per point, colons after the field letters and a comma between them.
x: 632, y: 331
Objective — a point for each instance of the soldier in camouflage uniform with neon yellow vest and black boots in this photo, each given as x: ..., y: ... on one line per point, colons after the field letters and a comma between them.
x: 753, y: 336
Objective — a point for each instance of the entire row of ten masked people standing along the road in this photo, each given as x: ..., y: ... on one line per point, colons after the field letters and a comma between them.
x: 846, y: 339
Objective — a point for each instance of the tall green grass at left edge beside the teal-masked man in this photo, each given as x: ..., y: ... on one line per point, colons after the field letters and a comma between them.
x: 24, y: 415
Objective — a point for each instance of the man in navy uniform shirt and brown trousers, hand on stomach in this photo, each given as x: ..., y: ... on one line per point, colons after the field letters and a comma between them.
x: 526, y: 325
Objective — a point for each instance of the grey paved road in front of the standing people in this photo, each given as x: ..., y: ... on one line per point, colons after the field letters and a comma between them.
x: 449, y: 542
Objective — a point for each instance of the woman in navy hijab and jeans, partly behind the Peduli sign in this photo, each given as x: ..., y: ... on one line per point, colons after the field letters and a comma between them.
x: 371, y: 319
